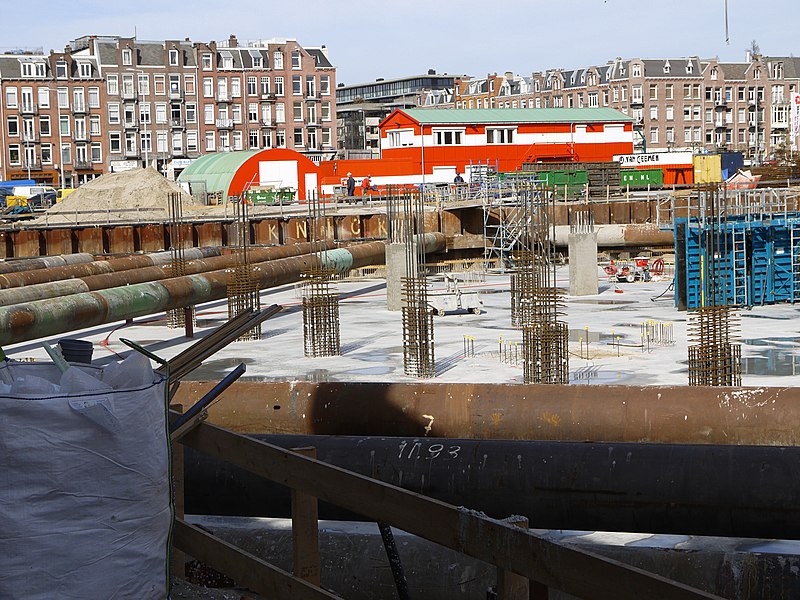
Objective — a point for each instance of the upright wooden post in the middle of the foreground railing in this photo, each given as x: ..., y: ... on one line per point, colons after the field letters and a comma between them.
x: 305, y: 531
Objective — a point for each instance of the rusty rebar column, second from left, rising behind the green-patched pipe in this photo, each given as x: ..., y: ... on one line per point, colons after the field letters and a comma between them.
x: 243, y: 290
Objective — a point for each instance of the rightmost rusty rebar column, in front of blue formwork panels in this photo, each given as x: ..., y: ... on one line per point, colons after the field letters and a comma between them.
x: 714, y: 353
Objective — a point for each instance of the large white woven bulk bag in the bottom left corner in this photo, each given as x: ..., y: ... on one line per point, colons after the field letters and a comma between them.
x: 85, y: 504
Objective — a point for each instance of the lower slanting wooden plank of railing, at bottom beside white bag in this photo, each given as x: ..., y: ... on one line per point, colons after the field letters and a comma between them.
x: 245, y: 569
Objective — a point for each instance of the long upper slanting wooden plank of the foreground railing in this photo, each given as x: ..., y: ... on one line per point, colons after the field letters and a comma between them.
x: 574, y: 571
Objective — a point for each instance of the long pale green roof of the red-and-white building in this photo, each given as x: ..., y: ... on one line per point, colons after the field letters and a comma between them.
x: 432, y: 116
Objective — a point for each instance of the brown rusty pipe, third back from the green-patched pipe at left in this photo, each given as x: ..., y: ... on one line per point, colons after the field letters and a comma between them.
x: 70, y: 271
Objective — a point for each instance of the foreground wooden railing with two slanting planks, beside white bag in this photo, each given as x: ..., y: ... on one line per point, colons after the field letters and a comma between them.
x: 516, y: 552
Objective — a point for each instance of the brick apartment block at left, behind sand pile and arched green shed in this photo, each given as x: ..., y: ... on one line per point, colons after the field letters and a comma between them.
x: 110, y: 103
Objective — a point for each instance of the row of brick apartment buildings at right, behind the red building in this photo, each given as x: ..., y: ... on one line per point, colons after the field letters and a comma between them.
x: 678, y: 103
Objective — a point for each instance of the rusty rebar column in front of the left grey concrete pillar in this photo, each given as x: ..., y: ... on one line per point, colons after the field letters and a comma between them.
x: 406, y: 218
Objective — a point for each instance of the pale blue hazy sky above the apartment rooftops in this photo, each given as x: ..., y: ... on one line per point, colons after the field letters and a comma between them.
x: 371, y: 39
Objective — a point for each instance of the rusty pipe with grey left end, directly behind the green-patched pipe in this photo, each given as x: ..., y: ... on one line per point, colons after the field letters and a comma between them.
x: 162, y: 270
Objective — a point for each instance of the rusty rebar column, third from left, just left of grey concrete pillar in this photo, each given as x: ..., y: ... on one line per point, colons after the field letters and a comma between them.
x: 321, y: 325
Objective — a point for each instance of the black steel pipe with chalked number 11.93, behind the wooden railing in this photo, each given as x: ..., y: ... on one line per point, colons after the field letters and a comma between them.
x: 730, y: 491
